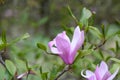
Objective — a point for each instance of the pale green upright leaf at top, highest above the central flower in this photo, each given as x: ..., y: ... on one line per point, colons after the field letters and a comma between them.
x: 86, y: 14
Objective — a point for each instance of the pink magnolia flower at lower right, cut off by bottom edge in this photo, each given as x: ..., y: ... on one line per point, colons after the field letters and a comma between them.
x: 101, y: 73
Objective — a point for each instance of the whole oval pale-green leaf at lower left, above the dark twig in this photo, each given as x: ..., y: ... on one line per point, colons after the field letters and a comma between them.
x: 10, y: 67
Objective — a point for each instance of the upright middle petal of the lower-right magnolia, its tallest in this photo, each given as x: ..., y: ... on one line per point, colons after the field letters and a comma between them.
x: 100, y: 71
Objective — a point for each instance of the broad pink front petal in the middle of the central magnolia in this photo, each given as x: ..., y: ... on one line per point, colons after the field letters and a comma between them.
x: 63, y: 46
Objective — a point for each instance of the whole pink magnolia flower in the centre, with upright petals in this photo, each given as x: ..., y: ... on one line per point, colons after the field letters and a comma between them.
x: 62, y: 46
